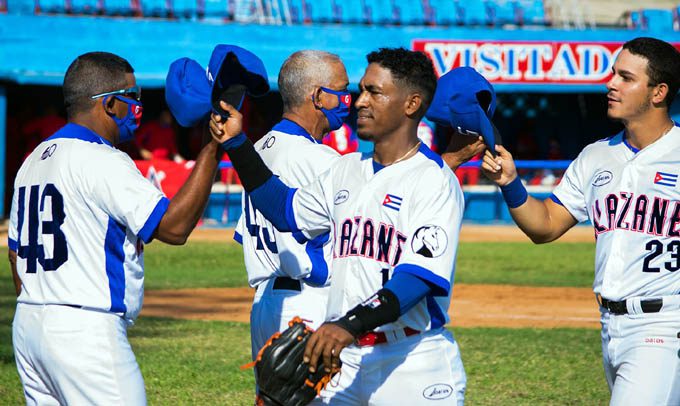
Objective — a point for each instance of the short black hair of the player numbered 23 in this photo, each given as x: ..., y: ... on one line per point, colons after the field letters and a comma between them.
x: 663, y: 63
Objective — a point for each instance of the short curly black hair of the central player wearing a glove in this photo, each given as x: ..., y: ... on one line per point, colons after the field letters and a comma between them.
x: 412, y: 69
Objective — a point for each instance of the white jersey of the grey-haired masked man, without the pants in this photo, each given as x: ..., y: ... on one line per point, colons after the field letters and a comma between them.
x: 297, y: 158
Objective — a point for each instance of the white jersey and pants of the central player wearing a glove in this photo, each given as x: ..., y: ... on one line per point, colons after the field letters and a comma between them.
x: 405, y: 217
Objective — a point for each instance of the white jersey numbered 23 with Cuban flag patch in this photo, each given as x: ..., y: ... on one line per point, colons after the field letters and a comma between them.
x: 633, y: 201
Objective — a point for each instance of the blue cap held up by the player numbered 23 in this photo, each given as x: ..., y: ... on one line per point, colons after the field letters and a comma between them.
x: 466, y: 101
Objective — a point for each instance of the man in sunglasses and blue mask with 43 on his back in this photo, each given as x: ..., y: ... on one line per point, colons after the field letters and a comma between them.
x: 81, y: 213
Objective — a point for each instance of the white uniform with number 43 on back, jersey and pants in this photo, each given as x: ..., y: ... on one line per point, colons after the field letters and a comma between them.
x: 80, y: 214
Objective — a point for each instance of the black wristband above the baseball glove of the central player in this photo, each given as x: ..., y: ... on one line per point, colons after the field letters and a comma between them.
x: 379, y: 309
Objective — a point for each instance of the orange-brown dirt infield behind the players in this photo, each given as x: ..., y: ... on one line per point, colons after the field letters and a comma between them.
x: 472, y: 305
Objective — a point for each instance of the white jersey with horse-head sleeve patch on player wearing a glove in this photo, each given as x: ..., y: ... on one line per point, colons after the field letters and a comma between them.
x: 407, y: 214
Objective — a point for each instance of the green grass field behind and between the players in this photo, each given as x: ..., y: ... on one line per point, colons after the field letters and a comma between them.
x: 196, y: 362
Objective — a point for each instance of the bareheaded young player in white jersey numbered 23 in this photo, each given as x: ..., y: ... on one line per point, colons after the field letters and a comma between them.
x: 627, y: 186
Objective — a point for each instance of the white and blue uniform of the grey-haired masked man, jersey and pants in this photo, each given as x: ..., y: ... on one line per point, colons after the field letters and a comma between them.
x: 275, y: 261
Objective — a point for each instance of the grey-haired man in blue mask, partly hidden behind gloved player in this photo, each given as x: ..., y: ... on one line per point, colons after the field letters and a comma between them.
x: 290, y: 276
